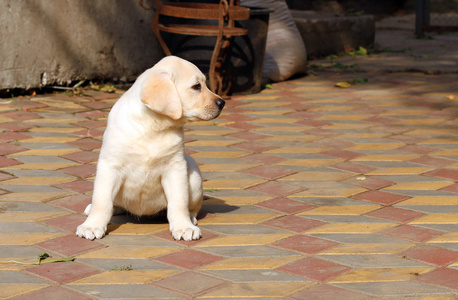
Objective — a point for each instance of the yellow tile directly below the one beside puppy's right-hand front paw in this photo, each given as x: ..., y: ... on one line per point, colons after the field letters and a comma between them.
x: 254, y: 263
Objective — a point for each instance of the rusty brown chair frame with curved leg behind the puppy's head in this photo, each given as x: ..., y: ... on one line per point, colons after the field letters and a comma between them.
x: 226, y: 13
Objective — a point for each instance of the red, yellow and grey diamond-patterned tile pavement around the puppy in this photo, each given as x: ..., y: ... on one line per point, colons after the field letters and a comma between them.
x: 312, y: 192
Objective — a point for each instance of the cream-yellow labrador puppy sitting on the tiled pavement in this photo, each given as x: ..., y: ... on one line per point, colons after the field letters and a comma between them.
x: 142, y: 167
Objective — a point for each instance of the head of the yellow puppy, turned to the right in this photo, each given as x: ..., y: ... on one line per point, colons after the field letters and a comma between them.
x: 176, y: 88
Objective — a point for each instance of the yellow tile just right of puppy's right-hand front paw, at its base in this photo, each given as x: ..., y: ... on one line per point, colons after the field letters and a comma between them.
x: 243, y: 239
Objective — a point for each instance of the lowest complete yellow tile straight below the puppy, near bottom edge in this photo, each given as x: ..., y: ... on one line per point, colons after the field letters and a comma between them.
x: 126, y: 277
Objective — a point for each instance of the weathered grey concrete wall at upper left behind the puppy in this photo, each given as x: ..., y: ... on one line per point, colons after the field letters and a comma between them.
x: 45, y: 42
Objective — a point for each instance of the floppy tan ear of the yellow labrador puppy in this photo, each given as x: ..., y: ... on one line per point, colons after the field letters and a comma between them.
x: 160, y: 95
